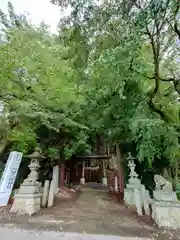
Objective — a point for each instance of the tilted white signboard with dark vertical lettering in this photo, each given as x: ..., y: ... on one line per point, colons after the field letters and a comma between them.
x: 9, y: 176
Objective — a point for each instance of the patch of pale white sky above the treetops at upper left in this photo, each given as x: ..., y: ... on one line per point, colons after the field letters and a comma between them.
x: 39, y: 10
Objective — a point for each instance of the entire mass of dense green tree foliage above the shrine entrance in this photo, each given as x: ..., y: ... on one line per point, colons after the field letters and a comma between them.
x: 110, y: 73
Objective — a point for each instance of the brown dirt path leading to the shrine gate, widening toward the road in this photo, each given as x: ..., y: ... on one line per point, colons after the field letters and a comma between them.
x: 94, y: 213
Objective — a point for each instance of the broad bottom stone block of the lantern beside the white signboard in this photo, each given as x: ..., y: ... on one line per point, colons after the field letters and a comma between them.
x: 26, y: 203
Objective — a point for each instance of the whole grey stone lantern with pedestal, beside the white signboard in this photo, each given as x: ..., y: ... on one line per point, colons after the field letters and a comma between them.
x: 28, y: 198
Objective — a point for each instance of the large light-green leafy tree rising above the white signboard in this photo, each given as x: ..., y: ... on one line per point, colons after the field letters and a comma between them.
x: 38, y: 89
